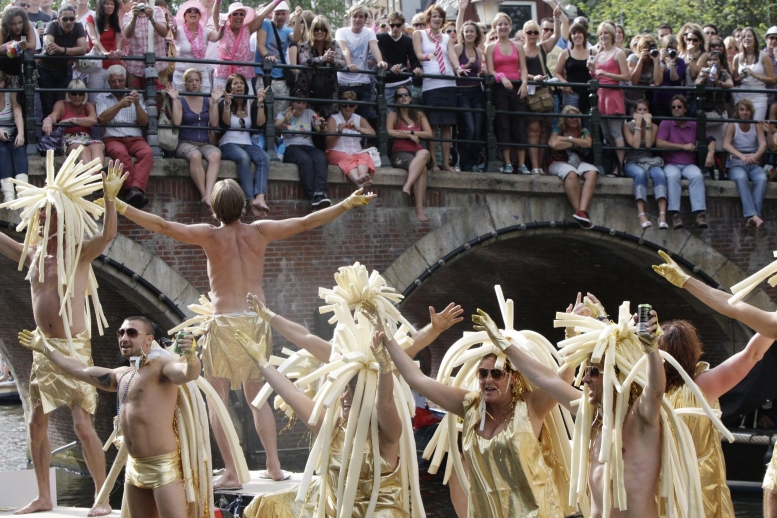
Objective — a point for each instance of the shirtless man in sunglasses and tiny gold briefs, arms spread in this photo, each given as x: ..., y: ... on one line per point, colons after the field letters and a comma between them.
x: 148, y: 397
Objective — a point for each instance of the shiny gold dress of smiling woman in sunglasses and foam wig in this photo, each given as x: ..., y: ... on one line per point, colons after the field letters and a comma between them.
x: 509, y: 475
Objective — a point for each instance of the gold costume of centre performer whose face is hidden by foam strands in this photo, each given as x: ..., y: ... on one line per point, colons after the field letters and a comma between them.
x: 282, y: 504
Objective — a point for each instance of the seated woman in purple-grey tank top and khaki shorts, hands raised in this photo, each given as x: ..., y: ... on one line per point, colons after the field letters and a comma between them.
x: 194, y: 144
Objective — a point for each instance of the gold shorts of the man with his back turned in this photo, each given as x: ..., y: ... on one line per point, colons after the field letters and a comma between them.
x: 223, y: 357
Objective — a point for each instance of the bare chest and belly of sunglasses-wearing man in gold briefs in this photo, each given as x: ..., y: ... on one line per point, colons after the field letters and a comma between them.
x: 148, y: 409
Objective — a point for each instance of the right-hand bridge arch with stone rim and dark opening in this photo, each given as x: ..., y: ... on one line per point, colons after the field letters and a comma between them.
x: 542, y: 262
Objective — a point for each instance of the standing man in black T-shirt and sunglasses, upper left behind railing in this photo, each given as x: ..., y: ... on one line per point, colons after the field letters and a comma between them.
x: 63, y: 37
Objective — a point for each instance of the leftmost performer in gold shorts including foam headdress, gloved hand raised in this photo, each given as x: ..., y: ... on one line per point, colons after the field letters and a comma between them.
x: 49, y: 390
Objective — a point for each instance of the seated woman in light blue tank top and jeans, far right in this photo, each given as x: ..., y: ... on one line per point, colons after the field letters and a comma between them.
x: 746, y: 144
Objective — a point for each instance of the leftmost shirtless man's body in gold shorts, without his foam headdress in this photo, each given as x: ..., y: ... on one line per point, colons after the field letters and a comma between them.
x: 48, y: 390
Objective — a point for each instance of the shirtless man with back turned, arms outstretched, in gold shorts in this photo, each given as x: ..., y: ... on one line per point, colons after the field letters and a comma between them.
x: 235, y: 253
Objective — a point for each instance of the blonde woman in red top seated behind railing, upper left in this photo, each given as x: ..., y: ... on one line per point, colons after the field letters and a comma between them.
x: 80, y: 116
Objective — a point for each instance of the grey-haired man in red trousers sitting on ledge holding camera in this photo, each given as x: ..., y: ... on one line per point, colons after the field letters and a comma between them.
x: 124, y: 114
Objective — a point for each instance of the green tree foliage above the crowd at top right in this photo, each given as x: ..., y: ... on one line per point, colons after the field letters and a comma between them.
x: 646, y: 15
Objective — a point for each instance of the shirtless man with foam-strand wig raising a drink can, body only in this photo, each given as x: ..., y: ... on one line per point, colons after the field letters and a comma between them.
x: 641, y: 428
